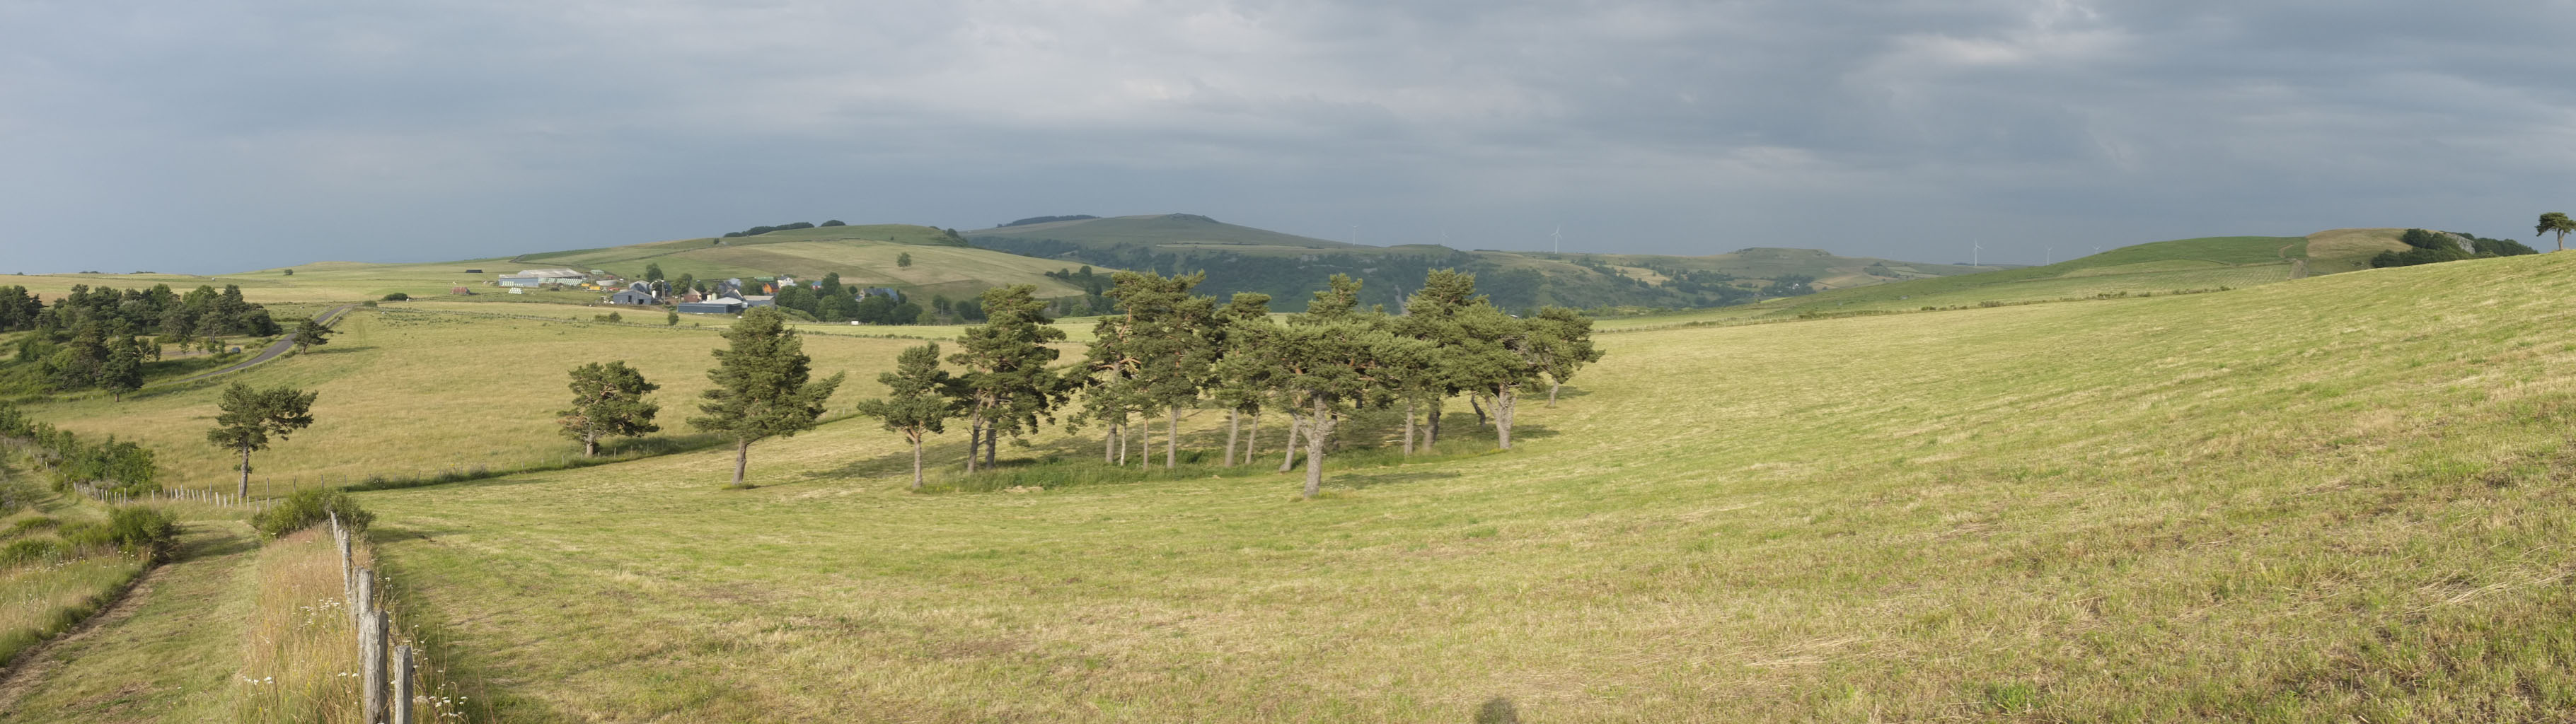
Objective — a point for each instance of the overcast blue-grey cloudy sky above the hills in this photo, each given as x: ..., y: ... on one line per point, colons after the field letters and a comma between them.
x: 223, y: 135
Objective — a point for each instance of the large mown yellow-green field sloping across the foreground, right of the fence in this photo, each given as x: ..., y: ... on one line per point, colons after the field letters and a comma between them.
x: 2327, y: 501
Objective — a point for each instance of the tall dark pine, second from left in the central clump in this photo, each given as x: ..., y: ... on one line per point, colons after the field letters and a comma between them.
x: 1006, y: 385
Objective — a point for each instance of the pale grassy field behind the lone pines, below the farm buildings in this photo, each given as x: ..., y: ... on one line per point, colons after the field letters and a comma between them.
x: 426, y: 393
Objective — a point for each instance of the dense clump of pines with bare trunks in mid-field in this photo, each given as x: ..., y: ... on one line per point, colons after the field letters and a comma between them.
x: 1171, y: 352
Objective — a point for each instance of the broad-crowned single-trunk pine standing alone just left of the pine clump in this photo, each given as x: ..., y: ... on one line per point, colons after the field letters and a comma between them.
x: 764, y: 385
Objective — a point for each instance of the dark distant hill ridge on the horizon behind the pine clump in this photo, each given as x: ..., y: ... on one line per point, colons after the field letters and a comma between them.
x: 1289, y: 267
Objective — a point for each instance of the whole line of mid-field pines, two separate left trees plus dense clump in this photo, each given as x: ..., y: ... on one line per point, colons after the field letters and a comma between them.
x: 1168, y: 352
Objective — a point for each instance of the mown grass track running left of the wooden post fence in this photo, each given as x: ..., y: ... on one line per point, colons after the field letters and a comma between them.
x: 166, y: 653
